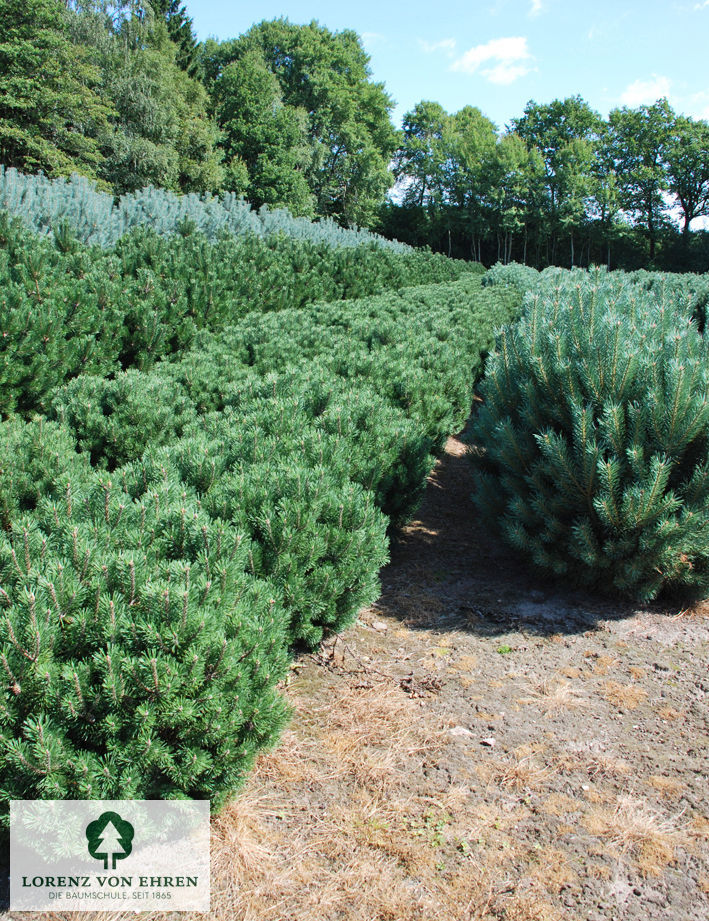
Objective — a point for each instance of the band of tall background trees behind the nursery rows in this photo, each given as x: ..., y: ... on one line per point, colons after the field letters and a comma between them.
x: 289, y: 115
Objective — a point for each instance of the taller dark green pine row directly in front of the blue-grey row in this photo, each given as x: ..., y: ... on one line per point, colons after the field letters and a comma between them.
x: 67, y: 308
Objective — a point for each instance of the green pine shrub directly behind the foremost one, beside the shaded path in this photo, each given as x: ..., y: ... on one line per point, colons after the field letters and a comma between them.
x: 317, y: 535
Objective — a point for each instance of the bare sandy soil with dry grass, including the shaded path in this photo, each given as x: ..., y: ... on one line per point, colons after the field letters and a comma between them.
x: 480, y: 745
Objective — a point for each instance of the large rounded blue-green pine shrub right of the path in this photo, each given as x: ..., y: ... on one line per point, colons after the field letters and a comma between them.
x: 593, y: 439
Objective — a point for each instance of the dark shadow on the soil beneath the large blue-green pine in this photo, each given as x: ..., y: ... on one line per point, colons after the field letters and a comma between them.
x: 449, y: 572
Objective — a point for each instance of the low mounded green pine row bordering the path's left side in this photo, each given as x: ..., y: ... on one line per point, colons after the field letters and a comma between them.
x: 171, y: 535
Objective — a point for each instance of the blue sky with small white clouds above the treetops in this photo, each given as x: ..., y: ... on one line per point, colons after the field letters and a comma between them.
x: 498, y: 54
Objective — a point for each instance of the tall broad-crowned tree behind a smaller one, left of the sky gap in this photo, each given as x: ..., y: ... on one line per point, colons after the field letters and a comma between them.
x: 324, y: 76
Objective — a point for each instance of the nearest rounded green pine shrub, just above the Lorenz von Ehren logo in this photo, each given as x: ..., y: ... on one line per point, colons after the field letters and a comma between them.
x: 140, y: 656
